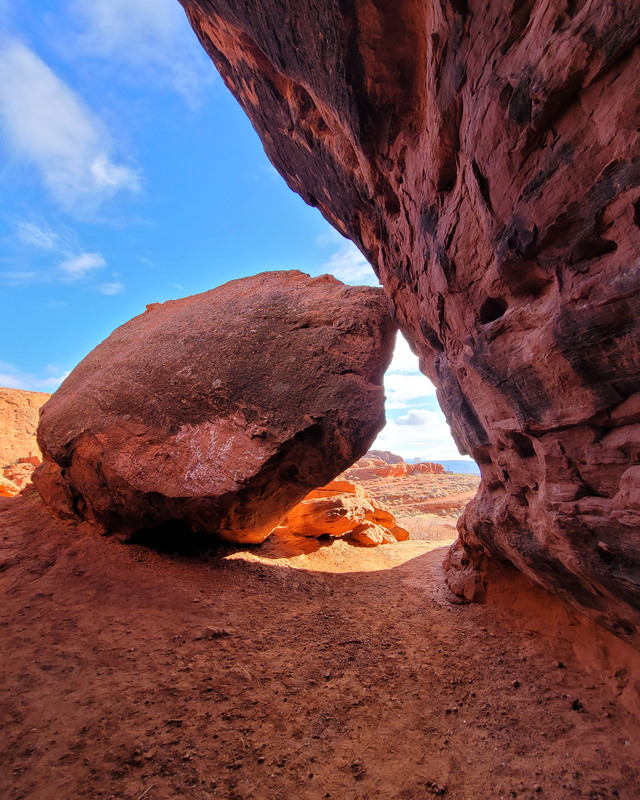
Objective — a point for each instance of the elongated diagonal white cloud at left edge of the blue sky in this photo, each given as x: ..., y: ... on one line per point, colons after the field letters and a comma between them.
x: 46, y: 124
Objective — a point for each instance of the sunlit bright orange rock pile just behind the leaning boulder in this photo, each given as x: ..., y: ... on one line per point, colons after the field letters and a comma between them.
x: 342, y: 509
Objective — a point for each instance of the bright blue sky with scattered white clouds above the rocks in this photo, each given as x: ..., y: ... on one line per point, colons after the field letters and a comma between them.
x: 129, y: 175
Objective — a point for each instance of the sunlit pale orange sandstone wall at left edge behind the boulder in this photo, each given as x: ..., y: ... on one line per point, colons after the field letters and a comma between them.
x: 19, y: 412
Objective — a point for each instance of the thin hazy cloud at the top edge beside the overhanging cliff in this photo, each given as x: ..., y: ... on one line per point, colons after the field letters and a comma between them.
x: 152, y: 36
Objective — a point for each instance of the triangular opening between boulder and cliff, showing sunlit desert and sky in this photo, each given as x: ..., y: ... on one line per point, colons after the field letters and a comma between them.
x: 415, y: 484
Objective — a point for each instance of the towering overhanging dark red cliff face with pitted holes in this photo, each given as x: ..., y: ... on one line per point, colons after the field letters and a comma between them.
x: 485, y: 158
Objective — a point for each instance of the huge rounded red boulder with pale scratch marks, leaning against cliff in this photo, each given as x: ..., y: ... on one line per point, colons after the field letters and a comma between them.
x: 220, y: 410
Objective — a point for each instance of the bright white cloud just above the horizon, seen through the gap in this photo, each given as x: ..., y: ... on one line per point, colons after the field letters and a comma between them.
x: 421, y: 433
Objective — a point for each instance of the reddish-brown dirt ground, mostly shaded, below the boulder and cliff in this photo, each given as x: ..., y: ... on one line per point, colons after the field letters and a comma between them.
x: 294, y: 671
